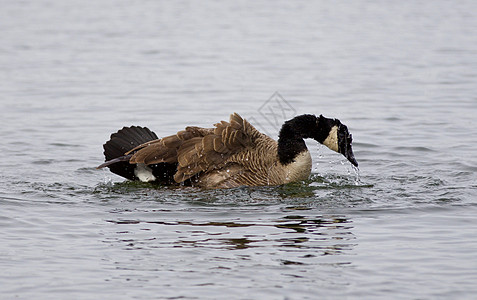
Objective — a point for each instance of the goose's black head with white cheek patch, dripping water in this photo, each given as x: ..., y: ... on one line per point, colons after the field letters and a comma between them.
x: 335, y: 135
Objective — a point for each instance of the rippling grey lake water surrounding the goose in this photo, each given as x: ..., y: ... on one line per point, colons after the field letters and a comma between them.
x: 402, y: 76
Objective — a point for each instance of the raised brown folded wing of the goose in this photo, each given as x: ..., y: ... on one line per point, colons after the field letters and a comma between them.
x: 197, y: 150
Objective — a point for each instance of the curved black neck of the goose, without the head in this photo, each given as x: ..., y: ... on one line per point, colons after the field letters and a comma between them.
x: 292, y: 133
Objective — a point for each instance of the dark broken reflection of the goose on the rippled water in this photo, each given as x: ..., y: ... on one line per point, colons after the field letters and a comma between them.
x: 321, y: 235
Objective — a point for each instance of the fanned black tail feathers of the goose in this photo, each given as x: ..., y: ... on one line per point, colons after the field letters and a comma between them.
x: 120, y: 143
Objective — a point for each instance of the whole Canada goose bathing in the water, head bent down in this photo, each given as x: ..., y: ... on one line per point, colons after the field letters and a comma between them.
x: 232, y: 154
